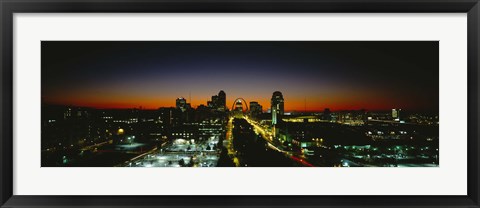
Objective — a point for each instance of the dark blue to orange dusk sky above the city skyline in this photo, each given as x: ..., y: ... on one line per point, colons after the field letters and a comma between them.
x: 312, y: 75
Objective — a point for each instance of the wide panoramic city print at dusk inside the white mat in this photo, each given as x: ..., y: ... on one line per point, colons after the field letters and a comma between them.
x: 242, y: 104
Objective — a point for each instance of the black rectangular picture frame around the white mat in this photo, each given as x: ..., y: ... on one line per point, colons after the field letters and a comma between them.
x: 9, y: 7
